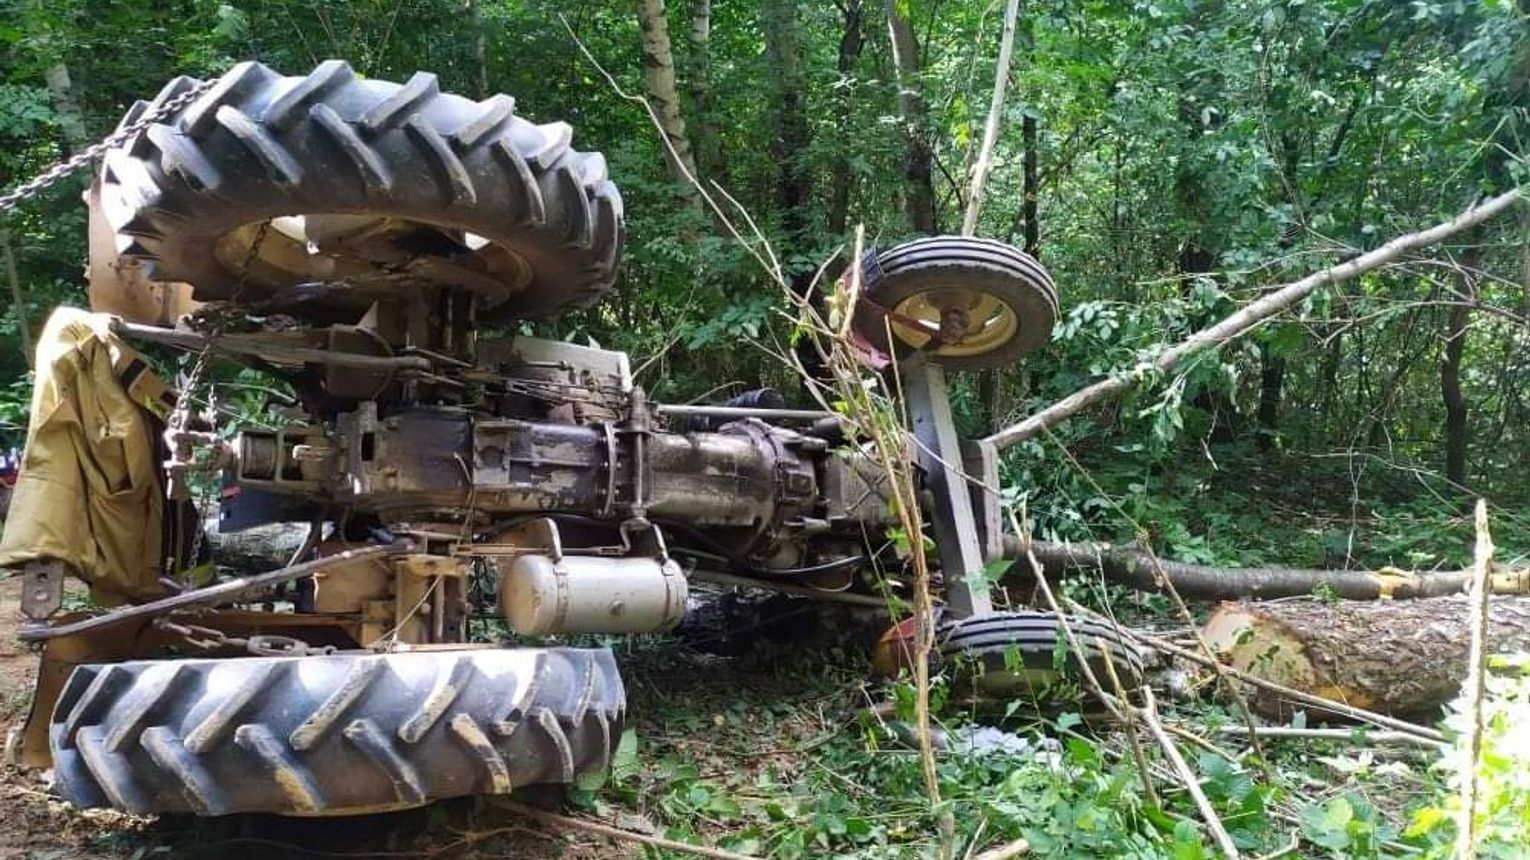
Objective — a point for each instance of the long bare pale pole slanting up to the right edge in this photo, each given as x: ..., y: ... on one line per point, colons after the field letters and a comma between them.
x: 1249, y: 318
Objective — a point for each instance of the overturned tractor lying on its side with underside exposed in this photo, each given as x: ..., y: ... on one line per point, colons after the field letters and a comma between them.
x: 374, y: 246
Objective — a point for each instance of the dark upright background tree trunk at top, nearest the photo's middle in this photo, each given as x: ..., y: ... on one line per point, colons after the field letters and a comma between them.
x: 789, y: 122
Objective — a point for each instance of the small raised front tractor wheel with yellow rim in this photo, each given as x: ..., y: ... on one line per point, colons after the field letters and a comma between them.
x: 965, y: 304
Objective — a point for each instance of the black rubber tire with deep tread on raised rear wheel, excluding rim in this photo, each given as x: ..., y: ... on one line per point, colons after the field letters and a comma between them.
x: 259, y: 146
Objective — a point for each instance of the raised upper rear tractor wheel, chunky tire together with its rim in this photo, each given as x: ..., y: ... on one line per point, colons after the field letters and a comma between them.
x: 374, y: 187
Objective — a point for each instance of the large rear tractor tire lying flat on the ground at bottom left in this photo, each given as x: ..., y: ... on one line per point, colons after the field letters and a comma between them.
x: 333, y: 735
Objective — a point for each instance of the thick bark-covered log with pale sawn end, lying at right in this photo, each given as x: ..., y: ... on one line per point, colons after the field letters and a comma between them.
x: 1392, y: 657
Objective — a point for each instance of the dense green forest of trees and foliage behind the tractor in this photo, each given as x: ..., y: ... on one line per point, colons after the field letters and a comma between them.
x: 1168, y: 160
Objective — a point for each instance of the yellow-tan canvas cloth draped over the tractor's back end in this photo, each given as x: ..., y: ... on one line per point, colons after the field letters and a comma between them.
x: 90, y: 490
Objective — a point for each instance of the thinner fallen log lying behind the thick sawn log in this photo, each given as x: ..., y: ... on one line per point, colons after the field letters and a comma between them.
x: 1144, y: 572
